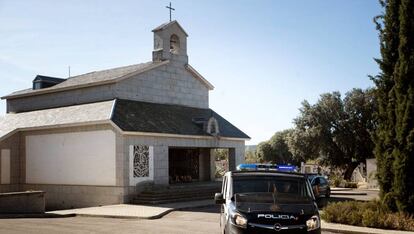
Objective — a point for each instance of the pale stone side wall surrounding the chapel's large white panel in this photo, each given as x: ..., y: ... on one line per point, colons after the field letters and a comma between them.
x: 66, y: 196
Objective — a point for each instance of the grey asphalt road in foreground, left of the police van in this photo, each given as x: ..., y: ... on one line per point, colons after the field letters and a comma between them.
x: 203, y: 220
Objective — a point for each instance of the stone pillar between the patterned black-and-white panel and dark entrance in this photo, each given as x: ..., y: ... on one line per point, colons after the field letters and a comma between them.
x: 161, y: 165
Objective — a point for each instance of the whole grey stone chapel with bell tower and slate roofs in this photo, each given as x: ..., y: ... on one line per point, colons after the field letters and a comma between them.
x: 92, y: 139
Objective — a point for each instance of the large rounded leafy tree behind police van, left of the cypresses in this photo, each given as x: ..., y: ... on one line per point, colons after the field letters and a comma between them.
x: 335, y: 131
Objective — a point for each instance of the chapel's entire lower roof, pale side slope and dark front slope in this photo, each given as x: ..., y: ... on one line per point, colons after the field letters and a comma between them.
x: 130, y: 116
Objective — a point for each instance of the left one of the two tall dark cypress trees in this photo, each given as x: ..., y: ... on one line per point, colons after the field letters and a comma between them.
x: 388, y: 26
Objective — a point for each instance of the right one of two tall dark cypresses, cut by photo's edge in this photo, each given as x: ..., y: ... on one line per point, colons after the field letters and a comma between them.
x: 403, y: 153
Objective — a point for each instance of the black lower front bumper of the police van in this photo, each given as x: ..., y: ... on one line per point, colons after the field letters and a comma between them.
x: 265, y: 228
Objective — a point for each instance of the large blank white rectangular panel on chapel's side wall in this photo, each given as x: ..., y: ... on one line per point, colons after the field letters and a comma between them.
x: 81, y: 158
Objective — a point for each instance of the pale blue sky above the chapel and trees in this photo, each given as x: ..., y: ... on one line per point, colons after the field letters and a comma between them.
x: 264, y: 57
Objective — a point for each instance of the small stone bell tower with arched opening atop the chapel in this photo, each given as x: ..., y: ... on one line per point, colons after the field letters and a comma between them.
x: 170, y: 43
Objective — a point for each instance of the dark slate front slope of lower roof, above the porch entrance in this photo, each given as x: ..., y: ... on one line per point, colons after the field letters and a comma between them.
x: 138, y: 116
